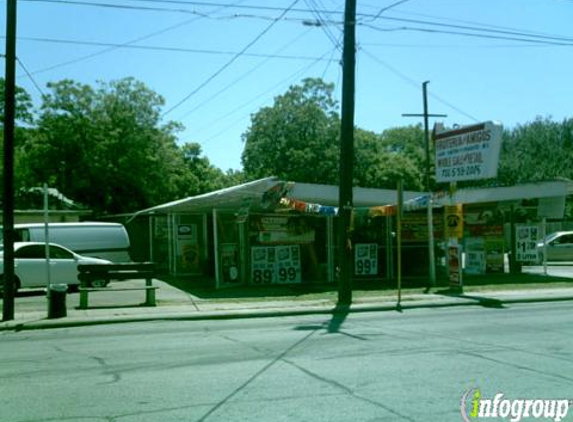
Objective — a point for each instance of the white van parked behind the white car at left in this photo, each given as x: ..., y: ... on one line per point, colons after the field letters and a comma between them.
x: 99, y: 240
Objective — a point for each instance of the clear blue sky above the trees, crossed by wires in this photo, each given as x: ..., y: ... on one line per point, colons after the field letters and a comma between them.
x: 218, y: 62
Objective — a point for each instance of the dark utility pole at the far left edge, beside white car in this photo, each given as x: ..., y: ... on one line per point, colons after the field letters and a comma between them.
x: 8, y: 199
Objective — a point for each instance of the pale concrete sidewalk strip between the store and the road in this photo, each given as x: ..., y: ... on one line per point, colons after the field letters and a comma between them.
x: 174, y: 304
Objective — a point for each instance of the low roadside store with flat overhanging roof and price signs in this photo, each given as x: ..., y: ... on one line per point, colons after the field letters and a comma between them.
x: 271, y: 231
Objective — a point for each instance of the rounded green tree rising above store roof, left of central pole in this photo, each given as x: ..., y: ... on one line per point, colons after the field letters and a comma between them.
x: 296, y: 138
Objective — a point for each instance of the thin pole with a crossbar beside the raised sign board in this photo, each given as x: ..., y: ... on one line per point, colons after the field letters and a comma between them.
x: 426, y: 117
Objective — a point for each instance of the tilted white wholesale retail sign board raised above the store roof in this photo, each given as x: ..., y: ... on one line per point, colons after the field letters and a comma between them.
x: 468, y: 153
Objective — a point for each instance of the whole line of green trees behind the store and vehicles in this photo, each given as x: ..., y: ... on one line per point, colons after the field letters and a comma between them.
x: 106, y: 147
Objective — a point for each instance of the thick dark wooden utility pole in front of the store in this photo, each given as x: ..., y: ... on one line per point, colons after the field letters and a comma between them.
x: 345, y: 200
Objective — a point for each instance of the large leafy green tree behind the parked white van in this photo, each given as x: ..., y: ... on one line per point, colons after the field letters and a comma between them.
x: 104, y: 147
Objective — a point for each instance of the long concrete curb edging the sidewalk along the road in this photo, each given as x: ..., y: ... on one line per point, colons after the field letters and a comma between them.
x: 244, y: 313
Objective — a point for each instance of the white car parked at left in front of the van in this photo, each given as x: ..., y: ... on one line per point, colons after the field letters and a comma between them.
x: 30, y: 265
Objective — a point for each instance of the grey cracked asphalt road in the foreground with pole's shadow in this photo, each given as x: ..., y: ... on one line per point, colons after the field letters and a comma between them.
x: 414, y: 366
